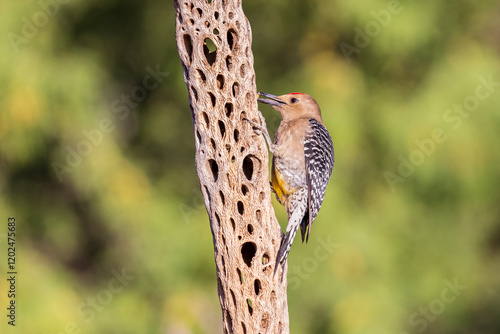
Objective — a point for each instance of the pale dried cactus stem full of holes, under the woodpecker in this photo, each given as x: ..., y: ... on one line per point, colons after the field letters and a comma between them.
x: 214, y: 44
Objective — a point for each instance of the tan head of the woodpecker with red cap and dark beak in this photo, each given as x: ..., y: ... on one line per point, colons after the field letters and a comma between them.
x: 293, y: 105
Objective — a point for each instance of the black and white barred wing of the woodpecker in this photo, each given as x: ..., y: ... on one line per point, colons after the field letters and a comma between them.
x: 319, y: 156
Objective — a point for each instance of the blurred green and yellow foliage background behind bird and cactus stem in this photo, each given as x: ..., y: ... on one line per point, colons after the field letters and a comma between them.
x: 413, y: 206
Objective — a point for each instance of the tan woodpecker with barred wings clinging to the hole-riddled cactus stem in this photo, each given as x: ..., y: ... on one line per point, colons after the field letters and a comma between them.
x: 303, y: 159
